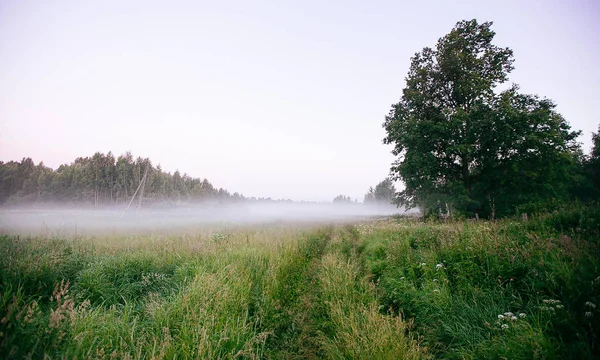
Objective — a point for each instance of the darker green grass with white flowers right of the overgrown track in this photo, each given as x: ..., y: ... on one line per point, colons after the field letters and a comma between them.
x: 465, y: 284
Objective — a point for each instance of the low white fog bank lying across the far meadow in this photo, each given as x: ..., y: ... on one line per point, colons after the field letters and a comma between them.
x: 61, y: 221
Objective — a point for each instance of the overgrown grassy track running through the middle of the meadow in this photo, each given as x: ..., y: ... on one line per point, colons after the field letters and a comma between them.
x: 330, y: 310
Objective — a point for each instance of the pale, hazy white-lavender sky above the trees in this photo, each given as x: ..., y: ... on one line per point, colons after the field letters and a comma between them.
x: 281, y: 99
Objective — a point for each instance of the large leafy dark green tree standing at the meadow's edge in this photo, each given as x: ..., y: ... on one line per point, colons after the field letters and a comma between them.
x: 459, y: 141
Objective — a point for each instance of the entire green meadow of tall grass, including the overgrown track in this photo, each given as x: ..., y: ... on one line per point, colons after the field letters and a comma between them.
x: 382, y: 289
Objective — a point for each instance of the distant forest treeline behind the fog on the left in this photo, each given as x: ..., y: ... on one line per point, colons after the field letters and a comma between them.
x: 103, y: 179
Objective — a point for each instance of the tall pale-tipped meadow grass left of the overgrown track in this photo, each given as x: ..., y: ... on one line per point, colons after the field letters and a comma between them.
x: 198, y: 296
